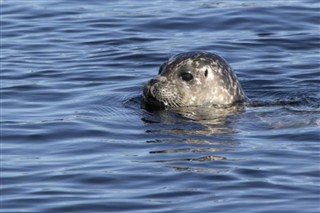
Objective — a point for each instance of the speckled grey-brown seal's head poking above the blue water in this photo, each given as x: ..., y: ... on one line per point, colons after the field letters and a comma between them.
x: 193, y: 79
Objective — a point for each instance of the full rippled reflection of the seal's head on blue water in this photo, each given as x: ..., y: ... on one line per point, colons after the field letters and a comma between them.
x: 192, y: 129
